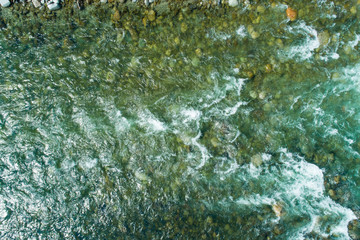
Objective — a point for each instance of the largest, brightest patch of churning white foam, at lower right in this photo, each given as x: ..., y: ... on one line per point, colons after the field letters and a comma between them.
x: 300, y: 186
